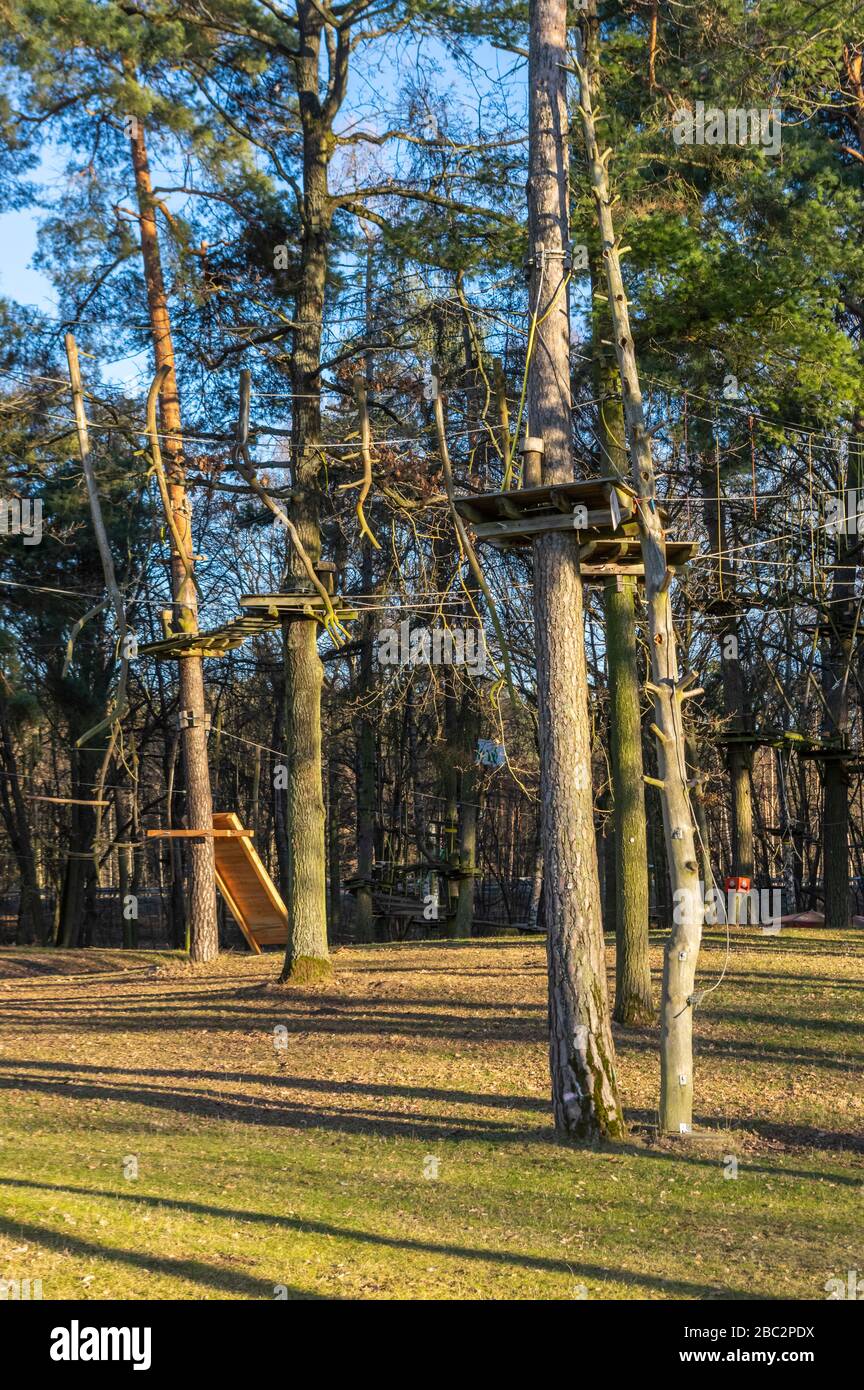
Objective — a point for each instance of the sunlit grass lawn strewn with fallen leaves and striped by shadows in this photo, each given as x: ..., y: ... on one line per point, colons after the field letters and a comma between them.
x: 392, y: 1139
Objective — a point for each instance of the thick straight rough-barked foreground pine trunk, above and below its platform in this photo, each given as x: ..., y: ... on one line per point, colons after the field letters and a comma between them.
x: 581, y: 1053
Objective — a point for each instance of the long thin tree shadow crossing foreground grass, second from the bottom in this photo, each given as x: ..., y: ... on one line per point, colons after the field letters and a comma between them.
x: 572, y: 1268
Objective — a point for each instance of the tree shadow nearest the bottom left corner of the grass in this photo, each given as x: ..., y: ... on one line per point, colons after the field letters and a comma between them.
x: 197, y: 1271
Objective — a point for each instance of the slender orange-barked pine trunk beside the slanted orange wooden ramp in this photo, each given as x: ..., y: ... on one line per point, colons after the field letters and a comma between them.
x: 203, y: 932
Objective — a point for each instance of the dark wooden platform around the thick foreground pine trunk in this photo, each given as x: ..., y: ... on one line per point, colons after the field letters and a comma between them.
x: 602, y: 512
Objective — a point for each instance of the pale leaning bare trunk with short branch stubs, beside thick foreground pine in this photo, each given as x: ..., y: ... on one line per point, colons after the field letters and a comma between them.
x: 667, y: 687
